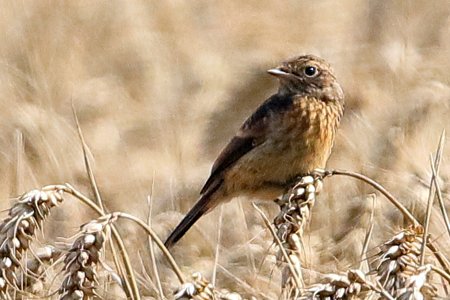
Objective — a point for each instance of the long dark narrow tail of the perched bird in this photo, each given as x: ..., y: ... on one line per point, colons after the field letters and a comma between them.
x: 203, y: 205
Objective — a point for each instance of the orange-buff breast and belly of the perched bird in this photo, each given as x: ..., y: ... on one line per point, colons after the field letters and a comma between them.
x: 298, y: 141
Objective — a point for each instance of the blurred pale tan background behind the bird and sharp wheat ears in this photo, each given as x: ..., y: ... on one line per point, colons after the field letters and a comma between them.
x: 160, y: 86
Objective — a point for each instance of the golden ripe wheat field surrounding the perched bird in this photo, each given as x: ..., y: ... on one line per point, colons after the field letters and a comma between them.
x: 159, y: 87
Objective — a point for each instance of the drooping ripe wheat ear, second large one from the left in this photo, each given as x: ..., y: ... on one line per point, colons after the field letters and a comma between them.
x: 81, y: 261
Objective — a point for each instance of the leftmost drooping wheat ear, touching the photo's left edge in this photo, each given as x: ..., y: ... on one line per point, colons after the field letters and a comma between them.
x: 17, y: 231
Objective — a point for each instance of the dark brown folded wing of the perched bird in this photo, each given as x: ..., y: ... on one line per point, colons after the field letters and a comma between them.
x: 251, y: 134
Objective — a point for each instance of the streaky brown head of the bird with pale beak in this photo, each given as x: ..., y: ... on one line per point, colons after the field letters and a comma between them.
x: 308, y: 74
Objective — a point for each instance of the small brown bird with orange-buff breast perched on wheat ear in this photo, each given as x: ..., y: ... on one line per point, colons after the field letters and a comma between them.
x: 289, y: 135
